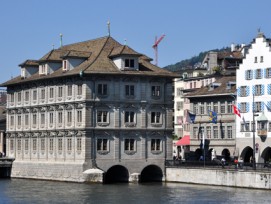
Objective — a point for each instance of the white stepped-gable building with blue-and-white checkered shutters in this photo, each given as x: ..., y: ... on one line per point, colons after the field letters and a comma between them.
x: 254, y: 85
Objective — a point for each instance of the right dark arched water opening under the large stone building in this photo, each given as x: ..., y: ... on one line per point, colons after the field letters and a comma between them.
x: 151, y: 173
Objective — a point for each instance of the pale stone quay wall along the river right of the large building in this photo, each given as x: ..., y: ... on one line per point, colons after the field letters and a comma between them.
x: 220, y: 177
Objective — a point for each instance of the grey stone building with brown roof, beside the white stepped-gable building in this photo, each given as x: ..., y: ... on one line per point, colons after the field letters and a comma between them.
x: 219, y: 137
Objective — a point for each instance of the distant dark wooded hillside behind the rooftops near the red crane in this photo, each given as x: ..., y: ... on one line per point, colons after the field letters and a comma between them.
x: 193, y: 61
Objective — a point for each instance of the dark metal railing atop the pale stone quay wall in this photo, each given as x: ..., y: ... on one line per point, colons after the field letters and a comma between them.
x: 217, y: 165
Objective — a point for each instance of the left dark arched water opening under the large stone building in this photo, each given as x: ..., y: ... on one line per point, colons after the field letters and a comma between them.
x: 116, y: 174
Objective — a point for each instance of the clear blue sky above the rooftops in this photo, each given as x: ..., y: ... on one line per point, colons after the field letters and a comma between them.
x: 29, y: 28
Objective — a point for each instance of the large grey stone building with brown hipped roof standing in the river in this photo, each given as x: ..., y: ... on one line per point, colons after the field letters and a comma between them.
x: 90, y: 108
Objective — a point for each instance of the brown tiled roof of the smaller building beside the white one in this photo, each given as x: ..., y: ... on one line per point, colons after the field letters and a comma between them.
x: 219, y: 90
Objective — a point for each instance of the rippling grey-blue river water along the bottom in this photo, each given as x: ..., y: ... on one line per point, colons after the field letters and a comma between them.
x: 37, y: 191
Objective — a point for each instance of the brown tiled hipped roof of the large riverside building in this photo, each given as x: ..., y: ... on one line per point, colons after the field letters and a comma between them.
x: 98, y: 61
